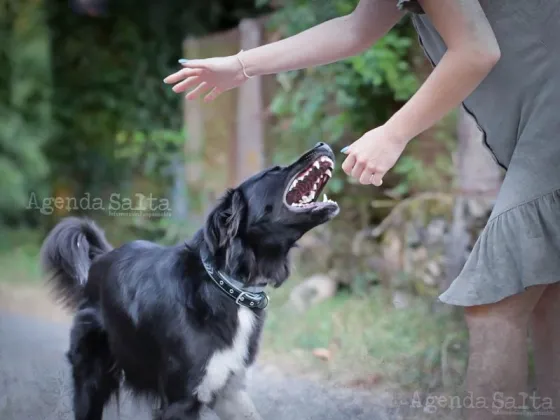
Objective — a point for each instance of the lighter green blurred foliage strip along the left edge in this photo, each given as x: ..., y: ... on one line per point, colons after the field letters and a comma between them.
x: 24, y: 103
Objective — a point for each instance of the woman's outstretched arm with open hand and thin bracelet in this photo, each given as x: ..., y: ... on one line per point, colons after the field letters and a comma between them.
x: 325, y: 43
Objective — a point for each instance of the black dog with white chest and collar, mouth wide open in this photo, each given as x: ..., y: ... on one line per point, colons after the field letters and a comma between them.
x: 182, y: 324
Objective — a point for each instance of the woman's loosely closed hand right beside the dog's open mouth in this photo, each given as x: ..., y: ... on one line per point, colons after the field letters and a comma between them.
x: 373, y: 155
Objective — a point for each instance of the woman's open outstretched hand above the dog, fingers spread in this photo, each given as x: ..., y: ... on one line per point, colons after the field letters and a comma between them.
x: 216, y: 75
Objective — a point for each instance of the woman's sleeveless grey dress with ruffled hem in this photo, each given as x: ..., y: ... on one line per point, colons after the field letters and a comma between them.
x: 518, y: 109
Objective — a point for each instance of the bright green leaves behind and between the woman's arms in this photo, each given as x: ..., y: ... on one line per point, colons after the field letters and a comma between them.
x: 347, y: 97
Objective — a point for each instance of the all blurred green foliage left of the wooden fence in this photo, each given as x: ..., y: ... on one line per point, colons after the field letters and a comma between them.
x: 85, y: 93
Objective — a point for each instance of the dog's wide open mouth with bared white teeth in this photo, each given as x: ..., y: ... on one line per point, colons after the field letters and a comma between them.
x: 306, y: 187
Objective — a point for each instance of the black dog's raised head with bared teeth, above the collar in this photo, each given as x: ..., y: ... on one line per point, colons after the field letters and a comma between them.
x: 253, y: 228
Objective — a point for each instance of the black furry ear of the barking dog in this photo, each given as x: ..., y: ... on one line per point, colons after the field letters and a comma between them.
x: 225, y: 220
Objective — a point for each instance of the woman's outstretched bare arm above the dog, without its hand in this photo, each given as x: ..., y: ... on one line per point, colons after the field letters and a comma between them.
x: 326, y: 43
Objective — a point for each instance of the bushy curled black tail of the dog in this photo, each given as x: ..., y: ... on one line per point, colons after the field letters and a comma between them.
x: 67, y: 254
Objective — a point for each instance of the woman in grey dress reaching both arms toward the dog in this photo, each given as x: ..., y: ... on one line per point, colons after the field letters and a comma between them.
x: 496, y: 58
